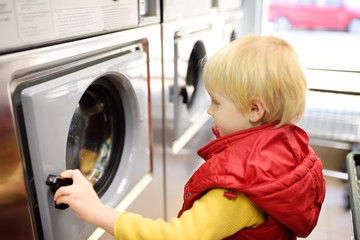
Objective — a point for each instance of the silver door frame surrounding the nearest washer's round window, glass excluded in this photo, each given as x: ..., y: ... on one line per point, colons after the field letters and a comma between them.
x: 48, y: 109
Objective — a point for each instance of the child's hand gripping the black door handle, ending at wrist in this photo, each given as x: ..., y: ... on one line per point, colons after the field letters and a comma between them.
x: 80, y: 196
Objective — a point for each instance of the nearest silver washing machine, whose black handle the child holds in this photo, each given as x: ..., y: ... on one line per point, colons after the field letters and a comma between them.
x: 82, y: 101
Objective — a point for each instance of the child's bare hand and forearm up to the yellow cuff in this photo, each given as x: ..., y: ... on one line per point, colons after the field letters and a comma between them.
x: 85, y: 203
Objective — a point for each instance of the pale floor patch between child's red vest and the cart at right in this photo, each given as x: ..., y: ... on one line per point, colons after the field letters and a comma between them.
x: 335, y: 220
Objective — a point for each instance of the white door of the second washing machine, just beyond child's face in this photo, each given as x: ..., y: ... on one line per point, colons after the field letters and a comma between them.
x: 190, y: 98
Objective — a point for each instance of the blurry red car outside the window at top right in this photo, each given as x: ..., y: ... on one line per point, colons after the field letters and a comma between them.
x: 313, y: 14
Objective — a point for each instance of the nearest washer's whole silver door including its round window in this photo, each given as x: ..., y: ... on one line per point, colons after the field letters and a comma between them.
x: 93, y: 117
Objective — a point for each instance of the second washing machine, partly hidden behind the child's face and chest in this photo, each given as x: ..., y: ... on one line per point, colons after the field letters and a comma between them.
x: 187, y: 43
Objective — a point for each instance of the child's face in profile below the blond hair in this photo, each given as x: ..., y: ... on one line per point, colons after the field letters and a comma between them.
x: 226, y: 115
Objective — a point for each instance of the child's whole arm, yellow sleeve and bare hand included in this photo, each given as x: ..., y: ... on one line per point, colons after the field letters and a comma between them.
x: 212, y: 216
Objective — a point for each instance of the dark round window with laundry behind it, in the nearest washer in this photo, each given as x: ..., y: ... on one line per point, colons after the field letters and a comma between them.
x: 96, y: 134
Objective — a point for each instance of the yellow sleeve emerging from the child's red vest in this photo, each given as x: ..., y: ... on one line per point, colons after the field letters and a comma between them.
x: 212, y: 217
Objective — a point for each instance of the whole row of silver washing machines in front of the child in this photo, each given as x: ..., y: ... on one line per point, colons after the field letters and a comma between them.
x: 113, y: 88
